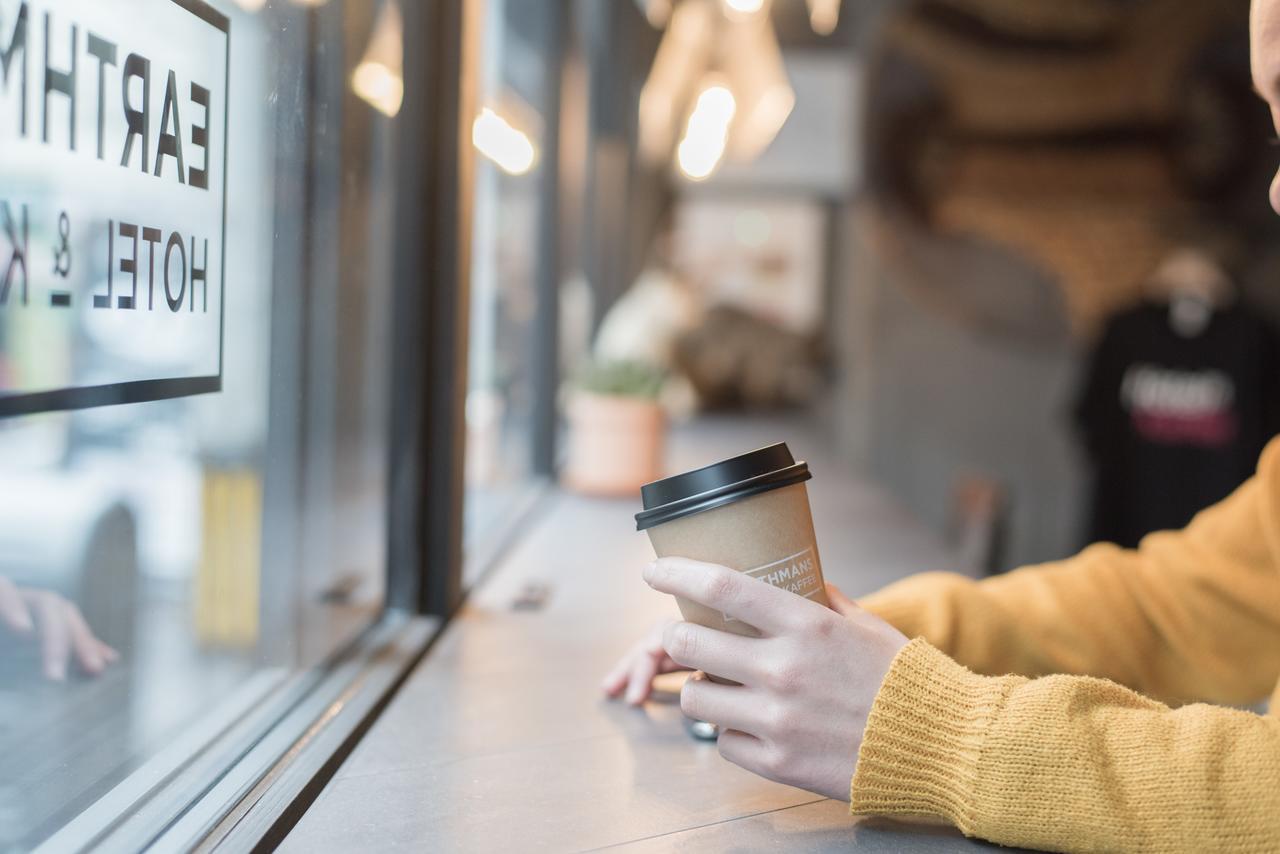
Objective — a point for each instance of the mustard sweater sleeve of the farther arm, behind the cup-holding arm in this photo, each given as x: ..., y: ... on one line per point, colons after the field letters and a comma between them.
x: 1191, y: 615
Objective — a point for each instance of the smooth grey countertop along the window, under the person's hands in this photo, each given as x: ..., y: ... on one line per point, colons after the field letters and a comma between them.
x: 501, y: 742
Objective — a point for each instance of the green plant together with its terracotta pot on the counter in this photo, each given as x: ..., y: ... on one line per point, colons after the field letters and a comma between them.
x: 616, y: 428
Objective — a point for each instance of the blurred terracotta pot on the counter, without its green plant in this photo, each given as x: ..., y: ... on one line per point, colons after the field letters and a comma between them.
x: 615, y: 444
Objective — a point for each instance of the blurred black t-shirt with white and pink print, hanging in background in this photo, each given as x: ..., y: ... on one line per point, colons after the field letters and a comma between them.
x: 1173, y: 424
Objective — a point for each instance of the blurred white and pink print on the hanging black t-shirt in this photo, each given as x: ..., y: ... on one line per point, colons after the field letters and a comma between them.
x: 1180, y: 407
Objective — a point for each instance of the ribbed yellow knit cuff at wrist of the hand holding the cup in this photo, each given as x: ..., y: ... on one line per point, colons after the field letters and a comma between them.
x: 925, y: 737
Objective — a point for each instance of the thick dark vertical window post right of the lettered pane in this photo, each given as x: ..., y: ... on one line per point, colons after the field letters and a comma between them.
x: 433, y: 266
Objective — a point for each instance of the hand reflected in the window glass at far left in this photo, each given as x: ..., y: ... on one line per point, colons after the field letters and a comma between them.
x: 63, y: 632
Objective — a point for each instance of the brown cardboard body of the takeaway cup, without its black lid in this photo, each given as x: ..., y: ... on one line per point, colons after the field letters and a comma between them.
x: 769, y: 536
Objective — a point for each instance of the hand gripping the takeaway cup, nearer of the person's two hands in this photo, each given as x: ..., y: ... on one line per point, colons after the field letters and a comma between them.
x: 806, y: 684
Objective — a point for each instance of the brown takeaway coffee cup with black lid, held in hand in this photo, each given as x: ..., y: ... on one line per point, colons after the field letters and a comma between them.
x: 751, y: 514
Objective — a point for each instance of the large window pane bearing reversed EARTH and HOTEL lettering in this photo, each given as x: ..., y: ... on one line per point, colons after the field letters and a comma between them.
x: 193, y: 421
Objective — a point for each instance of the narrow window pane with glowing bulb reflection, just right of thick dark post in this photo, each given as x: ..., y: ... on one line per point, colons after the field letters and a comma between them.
x: 508, y: 134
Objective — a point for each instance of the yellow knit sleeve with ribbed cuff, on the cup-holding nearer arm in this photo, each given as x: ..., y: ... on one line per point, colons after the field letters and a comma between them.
x: 1066, y: 762
